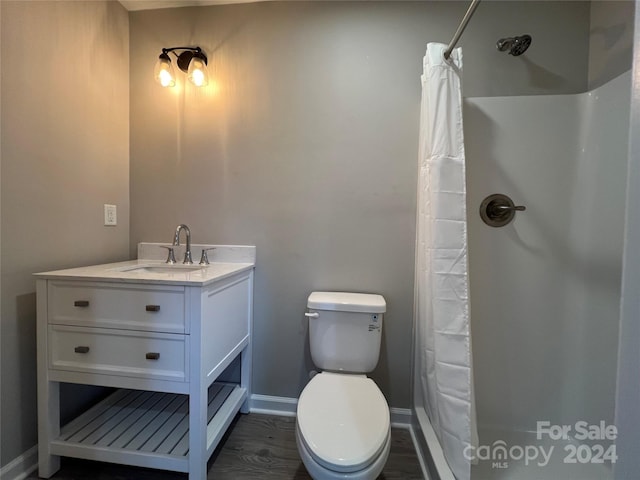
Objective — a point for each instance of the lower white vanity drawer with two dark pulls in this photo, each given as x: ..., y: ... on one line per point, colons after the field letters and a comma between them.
x: 125, y: 353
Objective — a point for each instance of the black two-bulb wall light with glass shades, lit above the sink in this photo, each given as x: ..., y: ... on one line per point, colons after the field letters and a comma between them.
x: 191, y: 61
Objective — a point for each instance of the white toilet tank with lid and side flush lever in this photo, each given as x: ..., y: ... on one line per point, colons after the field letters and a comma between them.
x: 345, y: 330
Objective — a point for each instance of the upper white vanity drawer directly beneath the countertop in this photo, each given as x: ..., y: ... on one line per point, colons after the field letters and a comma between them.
x: 158, y: 308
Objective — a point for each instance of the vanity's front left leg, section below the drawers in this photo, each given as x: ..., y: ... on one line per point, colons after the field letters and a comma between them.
x: 48, y: 427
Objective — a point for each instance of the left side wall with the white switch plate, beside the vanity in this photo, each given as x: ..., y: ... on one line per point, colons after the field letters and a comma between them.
x: 65, y: 138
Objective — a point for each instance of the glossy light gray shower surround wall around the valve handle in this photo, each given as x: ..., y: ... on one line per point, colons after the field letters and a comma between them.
x: 545, y: 290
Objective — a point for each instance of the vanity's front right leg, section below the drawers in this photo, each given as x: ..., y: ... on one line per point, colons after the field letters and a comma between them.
x: 198, y: 434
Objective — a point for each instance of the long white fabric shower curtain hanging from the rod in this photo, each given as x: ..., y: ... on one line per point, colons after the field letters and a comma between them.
x: 442, y: 284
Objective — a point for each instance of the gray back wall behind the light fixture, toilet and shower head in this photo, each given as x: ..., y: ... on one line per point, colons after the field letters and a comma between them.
x: 305, y: 144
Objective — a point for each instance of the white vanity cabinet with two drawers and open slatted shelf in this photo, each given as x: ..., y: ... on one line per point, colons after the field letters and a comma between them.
x: 162, y: 343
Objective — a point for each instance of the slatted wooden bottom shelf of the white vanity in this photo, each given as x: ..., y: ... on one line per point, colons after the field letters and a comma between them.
x: 146, y: 429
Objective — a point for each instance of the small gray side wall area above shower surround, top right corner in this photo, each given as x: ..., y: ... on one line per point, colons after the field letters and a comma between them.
x: 610, y: 40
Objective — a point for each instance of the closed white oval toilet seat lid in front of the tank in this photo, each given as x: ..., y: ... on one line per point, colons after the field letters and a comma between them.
x: 343, y: 421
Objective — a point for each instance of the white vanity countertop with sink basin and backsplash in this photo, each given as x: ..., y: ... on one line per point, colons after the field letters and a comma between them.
x: 131, y: 271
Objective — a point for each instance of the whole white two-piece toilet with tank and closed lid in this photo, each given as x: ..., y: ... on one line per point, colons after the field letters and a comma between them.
x: 342, y: 428
